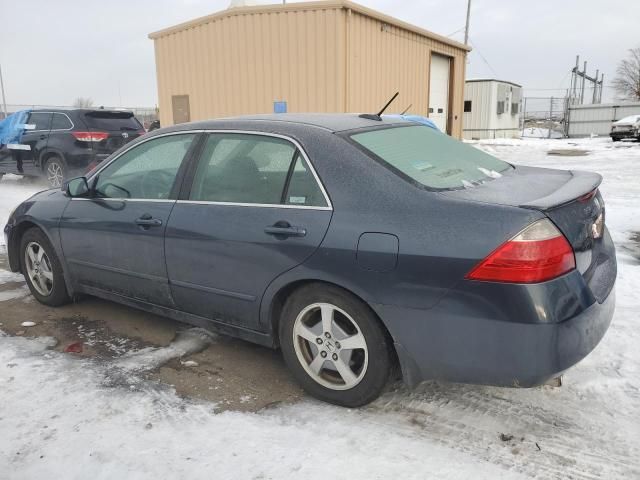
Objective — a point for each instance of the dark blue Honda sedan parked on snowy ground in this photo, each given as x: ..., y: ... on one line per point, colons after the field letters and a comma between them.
x: 352, y: 243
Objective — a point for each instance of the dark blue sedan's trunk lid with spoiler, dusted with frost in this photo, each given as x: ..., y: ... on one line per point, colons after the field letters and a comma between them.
x: 570, y: 199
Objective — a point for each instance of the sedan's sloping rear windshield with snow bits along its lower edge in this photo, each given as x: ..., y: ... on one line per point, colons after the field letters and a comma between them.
x: 429, y: 157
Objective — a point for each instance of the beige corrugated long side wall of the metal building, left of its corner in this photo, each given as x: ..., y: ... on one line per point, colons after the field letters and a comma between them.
x: 241, y: 64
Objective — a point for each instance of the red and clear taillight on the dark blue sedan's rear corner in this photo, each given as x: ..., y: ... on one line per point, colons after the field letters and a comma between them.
x: 538, y: 253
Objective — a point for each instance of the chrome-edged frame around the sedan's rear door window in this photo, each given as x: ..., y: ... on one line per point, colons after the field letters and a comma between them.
x: 184, y: 194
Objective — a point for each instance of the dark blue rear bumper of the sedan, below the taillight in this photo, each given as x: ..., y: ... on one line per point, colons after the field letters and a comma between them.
x: 467, y: 349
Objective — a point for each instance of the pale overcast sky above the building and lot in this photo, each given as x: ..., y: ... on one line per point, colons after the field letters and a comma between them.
x: 52, y: 52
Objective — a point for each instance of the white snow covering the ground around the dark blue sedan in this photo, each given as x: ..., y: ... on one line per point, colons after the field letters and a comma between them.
x: 64, y: 416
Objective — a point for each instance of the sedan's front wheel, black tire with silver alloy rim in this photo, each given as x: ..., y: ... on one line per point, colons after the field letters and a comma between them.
x: 42, y: 269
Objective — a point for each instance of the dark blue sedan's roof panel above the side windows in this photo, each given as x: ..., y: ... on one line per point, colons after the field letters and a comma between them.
x: 334, y: 122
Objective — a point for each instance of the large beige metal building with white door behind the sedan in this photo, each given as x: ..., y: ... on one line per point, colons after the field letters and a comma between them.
x: 329, y: 56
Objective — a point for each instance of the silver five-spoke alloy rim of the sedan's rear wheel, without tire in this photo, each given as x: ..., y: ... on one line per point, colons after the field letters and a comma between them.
x: 330, y: 346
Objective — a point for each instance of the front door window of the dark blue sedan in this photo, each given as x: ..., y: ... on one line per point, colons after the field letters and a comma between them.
x: 147, y: 171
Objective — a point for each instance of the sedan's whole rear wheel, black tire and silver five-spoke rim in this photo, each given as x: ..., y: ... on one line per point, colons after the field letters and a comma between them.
x: 325, y: 377
